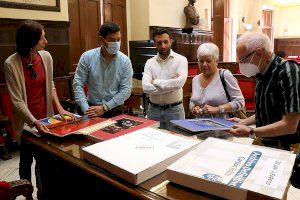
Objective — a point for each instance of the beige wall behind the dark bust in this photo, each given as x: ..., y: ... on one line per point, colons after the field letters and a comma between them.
x: 168, y: 13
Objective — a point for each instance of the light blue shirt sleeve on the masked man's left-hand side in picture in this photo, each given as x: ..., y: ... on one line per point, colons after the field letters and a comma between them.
x: 80, y: 79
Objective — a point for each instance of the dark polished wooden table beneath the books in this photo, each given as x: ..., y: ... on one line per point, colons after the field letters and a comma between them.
x: 63, y: 174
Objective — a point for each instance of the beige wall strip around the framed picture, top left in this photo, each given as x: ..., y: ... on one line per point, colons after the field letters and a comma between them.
x: 37, y: 15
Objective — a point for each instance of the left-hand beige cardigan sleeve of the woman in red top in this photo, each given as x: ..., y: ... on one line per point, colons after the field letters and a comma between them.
x: 18, y: 103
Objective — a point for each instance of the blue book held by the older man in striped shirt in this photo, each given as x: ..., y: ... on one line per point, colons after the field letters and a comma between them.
x: 203, y: 124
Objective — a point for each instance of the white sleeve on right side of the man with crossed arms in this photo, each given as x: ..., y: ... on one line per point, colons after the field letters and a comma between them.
x: 176, y: 83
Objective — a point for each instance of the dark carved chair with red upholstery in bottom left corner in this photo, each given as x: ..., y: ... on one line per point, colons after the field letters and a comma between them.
x: 11, y: 190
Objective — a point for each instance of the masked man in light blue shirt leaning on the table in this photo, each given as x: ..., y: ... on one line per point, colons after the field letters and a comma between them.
x: 106, y: 72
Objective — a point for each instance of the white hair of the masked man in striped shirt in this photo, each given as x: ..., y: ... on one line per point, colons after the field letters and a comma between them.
x: 253, y: 40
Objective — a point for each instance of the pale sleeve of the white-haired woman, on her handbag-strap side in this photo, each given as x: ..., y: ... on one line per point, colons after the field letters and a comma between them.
x: 237, y: 99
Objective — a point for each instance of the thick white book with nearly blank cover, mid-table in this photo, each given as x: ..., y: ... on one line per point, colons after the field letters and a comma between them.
x: 139, y: 155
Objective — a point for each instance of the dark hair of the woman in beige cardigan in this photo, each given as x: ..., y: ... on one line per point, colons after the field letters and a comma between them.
x: 28, y: 35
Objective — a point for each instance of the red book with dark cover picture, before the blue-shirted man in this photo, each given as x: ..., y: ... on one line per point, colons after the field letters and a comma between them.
x: 119, y: 125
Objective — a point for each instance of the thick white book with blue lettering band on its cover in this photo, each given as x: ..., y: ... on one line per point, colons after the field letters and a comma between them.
x: 231, y: 170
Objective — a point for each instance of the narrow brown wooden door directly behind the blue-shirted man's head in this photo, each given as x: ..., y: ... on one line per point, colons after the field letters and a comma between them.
x: 115, y: 11
